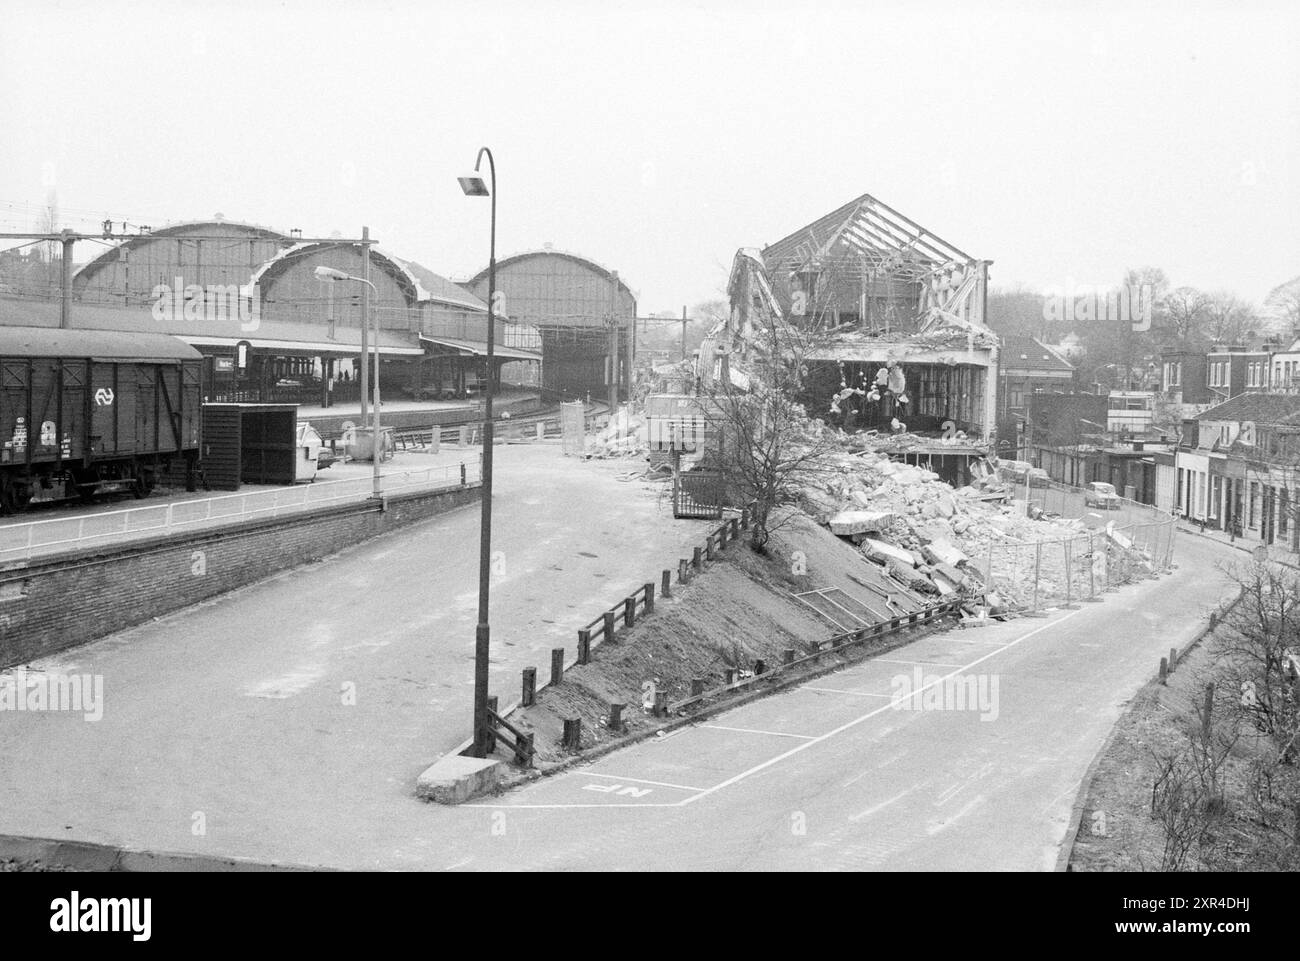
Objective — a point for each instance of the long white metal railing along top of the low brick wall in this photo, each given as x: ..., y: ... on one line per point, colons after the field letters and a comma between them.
x: 80, y: 533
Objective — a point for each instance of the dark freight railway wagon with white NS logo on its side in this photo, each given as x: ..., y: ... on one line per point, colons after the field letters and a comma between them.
x: 94, y: 412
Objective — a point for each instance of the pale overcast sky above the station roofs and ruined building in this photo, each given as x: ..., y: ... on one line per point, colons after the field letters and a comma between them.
x: 1064, y: 145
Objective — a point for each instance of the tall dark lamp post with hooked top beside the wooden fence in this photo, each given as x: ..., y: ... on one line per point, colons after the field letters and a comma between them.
x: 474, y: 185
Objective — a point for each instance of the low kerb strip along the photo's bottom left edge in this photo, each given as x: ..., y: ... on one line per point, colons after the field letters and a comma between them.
x: 88, y: 856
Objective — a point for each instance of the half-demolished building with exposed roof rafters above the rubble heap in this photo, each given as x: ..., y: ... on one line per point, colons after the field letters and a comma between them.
x: 894, y: 319
